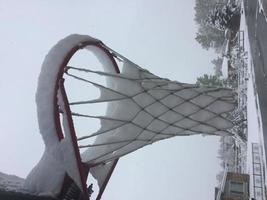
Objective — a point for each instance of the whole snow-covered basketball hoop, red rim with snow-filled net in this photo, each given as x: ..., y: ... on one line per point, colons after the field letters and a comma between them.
x: 142, y: 108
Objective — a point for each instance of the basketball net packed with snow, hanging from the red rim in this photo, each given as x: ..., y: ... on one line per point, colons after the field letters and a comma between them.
x: 144, y: 108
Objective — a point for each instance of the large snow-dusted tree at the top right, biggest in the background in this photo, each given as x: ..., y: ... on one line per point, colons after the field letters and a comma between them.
x: 212, y: 18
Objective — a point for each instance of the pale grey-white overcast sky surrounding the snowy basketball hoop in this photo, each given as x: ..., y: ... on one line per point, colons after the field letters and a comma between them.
x: 157, y: 35
